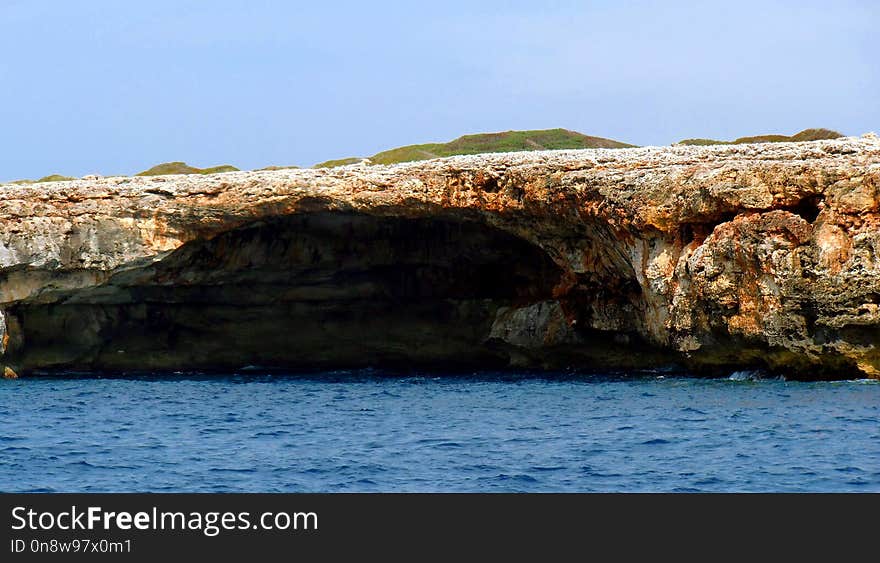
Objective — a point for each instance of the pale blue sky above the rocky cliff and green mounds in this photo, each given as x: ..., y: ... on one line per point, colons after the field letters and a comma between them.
x: 112, y: 87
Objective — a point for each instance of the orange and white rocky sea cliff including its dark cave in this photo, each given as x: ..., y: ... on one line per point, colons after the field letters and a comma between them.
x: 713, y: 258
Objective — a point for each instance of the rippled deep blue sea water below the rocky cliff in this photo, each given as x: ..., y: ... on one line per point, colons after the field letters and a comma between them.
x: 369, y: 431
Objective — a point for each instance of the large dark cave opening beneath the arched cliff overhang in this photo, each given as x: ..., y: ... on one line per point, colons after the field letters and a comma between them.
x: 318, y: 290
